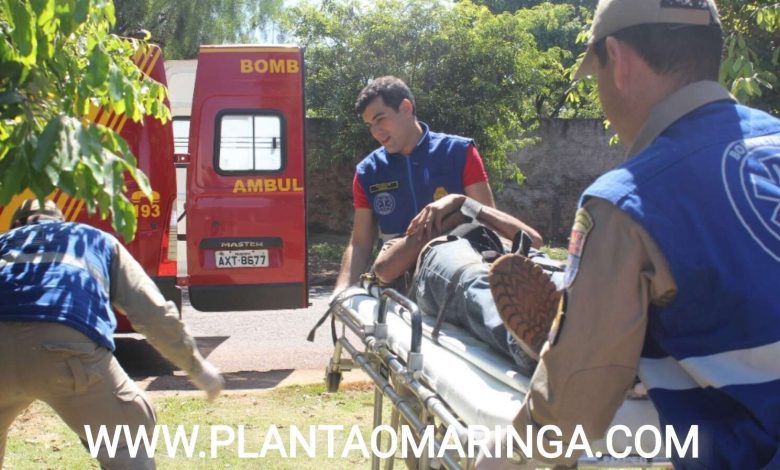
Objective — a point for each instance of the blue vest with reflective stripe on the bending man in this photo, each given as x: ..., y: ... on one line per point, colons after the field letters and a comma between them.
x: 58, y: 272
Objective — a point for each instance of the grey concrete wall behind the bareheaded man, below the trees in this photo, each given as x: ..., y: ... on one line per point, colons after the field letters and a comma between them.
x: 570, y: 155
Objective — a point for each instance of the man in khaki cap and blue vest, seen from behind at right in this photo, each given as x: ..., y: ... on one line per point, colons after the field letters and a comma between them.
x: 674, y: 259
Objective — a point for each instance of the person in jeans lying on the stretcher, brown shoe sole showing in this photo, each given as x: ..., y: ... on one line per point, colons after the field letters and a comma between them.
x: 444, y: 261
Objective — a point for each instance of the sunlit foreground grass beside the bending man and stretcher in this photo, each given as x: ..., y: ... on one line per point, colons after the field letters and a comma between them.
x: 40, y: 440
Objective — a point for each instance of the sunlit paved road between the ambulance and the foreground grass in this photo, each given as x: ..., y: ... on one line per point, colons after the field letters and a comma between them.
x: 254, y: 349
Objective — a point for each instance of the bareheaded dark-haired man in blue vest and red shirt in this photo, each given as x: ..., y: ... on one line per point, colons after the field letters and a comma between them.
x: 414, y: 167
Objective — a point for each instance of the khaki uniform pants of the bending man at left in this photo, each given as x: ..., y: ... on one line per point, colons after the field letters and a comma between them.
x: 80, y: 380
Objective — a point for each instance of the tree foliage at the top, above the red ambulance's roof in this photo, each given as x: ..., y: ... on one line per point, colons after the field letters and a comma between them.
x: 182, y: 26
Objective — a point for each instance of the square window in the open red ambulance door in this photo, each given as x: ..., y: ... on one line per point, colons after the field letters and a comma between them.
x: 250, y: 143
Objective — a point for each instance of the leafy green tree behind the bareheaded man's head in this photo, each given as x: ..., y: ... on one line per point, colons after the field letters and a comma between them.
x: 473, y: 73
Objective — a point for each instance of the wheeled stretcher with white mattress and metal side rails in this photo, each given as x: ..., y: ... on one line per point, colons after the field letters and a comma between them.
x: 454, y: 383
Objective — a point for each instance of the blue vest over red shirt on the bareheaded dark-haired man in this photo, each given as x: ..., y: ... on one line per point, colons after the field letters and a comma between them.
x: 398, y: 187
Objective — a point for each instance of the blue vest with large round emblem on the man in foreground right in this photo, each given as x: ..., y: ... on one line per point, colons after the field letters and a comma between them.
x: 707, y: 190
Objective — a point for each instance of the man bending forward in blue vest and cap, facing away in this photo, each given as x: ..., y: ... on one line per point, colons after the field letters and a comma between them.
x: 58, y: 283
